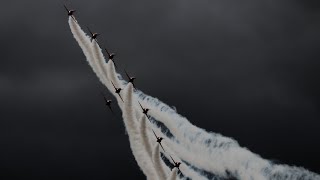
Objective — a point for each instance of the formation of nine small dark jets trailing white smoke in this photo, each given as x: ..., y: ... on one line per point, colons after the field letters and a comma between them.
x: 108, y: 102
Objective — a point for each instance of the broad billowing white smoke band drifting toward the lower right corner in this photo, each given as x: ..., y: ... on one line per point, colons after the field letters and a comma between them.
x: 201, y: 148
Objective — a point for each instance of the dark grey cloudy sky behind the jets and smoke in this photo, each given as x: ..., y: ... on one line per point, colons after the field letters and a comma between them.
x: 246, y: 69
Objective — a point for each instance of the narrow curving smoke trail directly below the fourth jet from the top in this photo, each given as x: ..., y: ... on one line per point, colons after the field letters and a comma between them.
x: 136, y: 146
